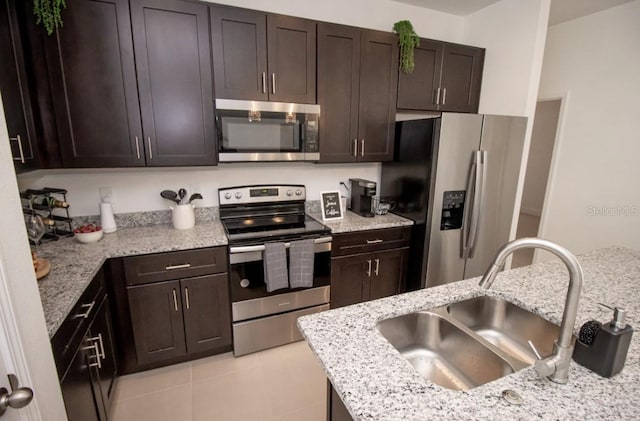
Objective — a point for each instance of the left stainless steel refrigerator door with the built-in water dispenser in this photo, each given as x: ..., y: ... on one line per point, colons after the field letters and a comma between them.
x: 458, y: 137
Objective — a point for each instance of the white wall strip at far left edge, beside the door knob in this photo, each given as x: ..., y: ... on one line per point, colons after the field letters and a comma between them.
x: 21, y: 296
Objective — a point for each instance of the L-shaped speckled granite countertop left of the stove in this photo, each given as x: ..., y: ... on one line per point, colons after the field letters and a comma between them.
x: 73, y: 264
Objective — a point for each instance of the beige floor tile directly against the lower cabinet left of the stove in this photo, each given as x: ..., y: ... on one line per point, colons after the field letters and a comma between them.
x: 135, y: 385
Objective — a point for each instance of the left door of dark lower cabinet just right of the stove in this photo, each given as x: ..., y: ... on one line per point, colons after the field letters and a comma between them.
x: 348, y: 277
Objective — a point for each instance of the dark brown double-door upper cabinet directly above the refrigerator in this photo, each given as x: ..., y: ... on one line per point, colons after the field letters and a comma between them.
x: 446, y: 77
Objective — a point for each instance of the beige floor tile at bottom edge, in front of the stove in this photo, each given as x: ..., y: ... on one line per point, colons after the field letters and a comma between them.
x: 237, y: 396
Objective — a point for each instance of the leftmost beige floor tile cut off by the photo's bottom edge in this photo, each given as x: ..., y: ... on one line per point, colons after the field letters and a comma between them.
x: 168, y: 405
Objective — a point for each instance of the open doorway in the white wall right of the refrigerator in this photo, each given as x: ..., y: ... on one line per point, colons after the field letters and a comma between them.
x: 543, y: 139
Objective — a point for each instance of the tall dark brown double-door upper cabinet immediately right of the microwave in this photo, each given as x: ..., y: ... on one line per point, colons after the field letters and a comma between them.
x: 357, y: 82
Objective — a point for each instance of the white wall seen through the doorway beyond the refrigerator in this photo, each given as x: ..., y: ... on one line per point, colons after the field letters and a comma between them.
x: 542, y: 142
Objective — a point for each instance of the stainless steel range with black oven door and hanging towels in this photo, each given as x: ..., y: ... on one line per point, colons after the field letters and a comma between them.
x: 272, y: 217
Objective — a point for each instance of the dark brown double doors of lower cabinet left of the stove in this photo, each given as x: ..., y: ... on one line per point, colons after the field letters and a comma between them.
x: 175, y: 319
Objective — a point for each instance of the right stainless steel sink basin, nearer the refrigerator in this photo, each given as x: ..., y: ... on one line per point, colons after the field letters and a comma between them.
x: 506, y: 326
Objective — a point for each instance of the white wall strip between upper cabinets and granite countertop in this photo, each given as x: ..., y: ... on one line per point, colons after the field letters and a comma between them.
x: 137, y: 190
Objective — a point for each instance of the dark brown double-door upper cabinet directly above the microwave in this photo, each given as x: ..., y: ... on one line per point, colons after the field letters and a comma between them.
x: 263, y: 57
